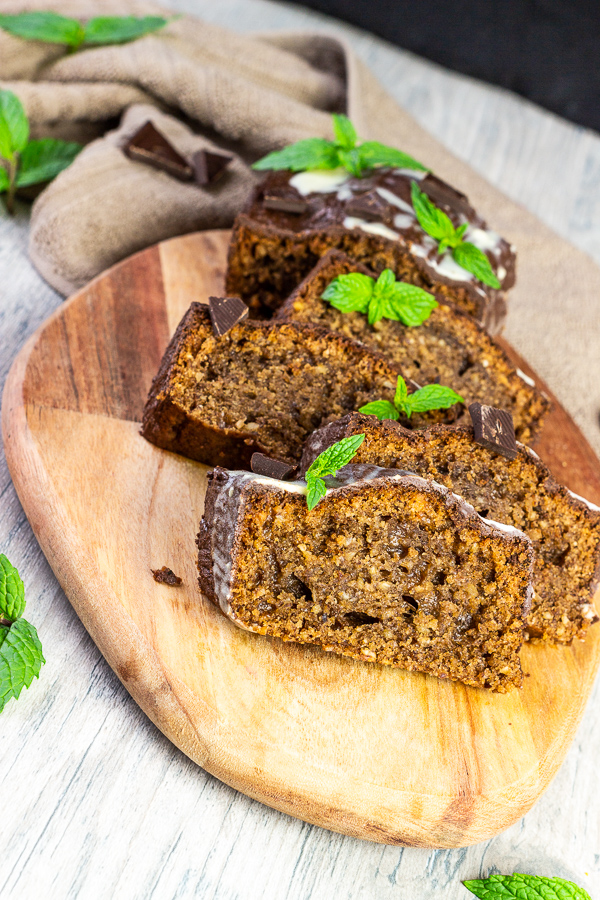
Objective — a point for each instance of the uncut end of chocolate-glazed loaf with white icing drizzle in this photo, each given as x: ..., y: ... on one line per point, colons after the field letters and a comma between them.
x: 292, y: 220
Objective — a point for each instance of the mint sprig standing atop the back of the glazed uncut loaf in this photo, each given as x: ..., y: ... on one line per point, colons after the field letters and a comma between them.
x: 344, y: 151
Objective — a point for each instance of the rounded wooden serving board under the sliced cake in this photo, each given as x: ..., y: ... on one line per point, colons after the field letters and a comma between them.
x: 375, y: 752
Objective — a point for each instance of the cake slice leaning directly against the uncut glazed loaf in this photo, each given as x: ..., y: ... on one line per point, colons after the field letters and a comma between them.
x: 449, y: 347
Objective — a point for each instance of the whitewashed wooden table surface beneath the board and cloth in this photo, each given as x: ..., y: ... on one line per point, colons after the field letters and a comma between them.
x: 94, y: 802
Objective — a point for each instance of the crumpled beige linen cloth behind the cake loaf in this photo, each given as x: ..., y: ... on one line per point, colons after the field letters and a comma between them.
x: 204, y: 86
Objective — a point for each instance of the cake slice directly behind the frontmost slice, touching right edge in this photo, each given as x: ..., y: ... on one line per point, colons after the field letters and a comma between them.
x: 564, y: 528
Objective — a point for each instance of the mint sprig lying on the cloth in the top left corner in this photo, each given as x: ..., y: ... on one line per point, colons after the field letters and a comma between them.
x: 53, y: 28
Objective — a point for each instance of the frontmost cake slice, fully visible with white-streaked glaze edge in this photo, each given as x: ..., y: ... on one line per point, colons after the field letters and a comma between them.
x: 387, y: 568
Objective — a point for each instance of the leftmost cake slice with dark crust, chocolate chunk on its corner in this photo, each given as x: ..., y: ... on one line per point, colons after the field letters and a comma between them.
x: 257, y: 388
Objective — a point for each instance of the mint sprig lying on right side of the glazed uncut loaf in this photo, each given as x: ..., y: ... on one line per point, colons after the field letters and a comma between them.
x: 439, y: 226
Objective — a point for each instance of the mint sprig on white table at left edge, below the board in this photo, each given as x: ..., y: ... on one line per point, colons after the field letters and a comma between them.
x: 21, y: 655
